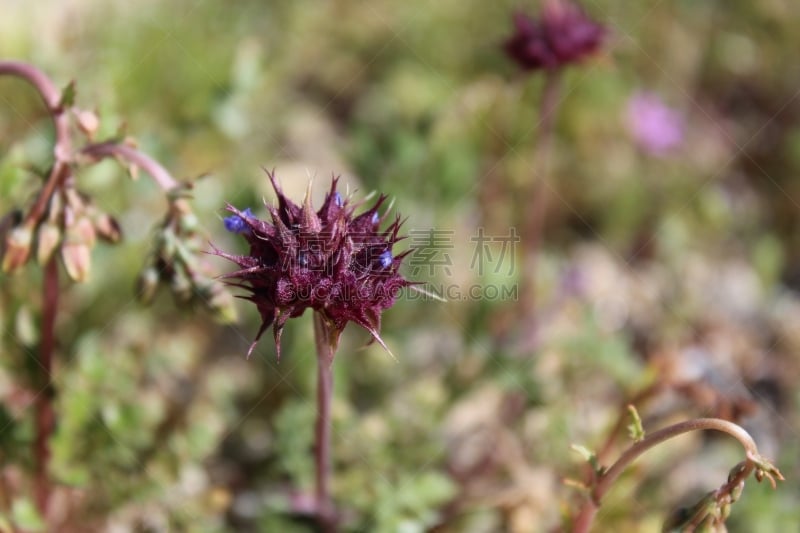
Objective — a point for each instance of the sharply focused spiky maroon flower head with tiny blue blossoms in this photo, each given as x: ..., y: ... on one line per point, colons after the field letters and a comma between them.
x: 333, y: 261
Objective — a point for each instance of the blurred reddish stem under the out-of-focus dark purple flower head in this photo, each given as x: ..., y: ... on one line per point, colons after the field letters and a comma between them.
x: 534, y: 218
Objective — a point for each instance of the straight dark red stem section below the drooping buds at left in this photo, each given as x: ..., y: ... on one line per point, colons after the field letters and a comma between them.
x: 45, y: 416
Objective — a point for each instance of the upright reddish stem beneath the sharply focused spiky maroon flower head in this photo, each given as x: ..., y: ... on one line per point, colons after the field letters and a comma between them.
x: 326, y: 338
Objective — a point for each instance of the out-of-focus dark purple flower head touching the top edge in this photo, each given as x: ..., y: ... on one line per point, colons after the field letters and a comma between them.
x: 564, y: 34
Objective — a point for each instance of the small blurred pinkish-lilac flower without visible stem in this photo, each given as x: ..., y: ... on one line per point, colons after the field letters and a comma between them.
x: 656, y: 128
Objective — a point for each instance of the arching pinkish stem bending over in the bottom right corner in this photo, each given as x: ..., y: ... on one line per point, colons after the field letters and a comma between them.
x: 585, y: 517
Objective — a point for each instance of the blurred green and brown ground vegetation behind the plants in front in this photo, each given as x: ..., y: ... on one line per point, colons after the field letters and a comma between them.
x: 668, y: 275
